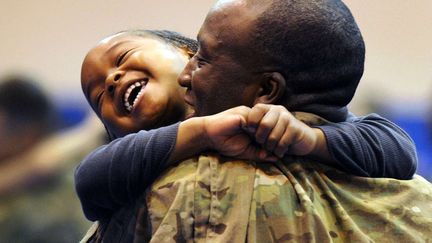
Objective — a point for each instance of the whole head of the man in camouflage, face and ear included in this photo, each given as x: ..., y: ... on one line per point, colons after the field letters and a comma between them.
x: 307, y: 55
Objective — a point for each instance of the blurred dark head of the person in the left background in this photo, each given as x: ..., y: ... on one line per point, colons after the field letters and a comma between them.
x: 26, y: 116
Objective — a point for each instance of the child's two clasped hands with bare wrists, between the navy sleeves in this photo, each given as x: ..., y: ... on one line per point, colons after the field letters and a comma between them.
x: 256, y: 133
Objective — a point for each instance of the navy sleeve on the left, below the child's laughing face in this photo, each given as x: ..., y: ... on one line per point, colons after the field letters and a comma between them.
x: 117, y: 173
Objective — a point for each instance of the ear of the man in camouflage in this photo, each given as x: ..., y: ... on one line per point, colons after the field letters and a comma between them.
x: 272, y: 88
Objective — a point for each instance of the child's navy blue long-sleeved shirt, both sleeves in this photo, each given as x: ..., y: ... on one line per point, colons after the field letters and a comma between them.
x: 116, y: 174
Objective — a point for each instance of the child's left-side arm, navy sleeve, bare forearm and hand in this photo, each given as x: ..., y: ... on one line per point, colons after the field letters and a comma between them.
x: 119, y: 172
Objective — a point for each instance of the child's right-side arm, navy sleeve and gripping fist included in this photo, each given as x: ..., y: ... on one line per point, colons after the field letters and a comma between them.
x: 368, y: 146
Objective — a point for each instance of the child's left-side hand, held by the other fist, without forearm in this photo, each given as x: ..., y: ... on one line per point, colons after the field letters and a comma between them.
x: 226, y: 134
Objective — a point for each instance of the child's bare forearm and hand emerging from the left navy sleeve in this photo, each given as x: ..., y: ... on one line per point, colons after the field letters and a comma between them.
x: 223, y: 132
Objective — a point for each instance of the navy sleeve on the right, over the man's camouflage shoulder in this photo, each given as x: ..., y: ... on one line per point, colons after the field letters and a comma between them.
x: 371, y: 146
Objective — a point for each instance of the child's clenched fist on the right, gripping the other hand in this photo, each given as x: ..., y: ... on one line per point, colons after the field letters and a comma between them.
x: 278, y: 131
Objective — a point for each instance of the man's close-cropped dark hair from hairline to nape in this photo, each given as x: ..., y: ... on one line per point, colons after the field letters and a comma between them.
x: 319, y: 49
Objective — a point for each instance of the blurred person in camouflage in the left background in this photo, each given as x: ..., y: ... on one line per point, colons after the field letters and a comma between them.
x: 37, y: 200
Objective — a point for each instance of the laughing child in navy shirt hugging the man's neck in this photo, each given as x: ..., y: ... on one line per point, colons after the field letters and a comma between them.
x: 129, y: 80
